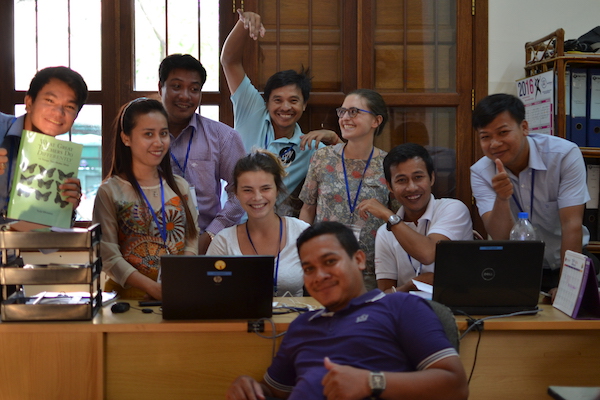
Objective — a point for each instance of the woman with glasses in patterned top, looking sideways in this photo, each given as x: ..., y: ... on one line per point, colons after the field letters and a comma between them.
x: 341, y: 176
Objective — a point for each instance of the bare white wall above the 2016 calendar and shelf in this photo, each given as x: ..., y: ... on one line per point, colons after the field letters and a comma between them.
x: 512, y: 23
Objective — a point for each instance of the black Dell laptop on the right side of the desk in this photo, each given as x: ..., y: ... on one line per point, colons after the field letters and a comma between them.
x: 486, y: 277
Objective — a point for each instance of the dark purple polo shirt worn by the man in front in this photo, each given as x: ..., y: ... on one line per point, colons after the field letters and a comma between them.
x: 375, y: 332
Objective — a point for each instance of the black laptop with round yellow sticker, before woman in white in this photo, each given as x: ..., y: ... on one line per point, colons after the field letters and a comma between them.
x: 217, y: 287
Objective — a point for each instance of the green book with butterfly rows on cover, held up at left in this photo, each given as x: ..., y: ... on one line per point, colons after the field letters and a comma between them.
x: 43, y: 163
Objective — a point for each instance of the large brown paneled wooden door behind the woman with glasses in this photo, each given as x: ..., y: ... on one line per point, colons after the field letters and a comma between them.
x: 420, y: 55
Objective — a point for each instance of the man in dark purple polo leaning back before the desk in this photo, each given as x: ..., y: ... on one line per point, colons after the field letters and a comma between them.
x: 363, y: 344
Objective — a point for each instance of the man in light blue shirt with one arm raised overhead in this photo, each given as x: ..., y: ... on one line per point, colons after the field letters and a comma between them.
x: 272, y: 122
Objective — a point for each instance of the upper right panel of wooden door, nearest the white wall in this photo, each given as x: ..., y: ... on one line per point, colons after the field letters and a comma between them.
x: 415, y: 46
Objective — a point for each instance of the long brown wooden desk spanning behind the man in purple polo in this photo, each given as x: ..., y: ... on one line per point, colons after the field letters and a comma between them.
x: 140, y: 356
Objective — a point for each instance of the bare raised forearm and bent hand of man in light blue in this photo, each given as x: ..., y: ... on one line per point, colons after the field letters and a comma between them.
x: 248, y: 26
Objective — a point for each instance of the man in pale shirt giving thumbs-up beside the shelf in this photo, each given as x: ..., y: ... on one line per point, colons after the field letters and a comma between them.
x: 540, y: 174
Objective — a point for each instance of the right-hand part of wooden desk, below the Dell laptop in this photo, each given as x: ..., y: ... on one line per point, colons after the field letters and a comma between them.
x: 519, y: 357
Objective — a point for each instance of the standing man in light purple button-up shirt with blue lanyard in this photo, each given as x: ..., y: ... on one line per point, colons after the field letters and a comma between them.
x: 203, y: 151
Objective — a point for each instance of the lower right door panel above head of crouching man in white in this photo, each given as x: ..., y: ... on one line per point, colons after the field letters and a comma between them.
x: 434, y: 128
